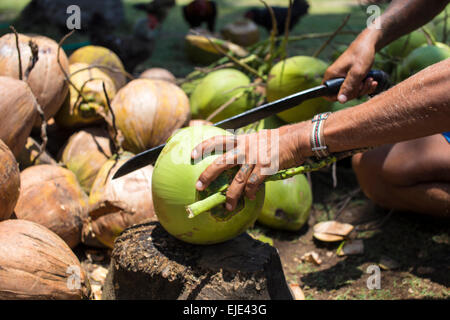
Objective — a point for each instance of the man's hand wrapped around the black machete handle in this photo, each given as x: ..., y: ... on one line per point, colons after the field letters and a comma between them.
x: 354, y: 64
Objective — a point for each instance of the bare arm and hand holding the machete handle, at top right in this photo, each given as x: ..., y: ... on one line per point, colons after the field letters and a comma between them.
x: 400, y: 18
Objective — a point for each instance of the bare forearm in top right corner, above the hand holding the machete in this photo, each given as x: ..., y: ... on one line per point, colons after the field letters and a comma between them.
x: 402, y: 17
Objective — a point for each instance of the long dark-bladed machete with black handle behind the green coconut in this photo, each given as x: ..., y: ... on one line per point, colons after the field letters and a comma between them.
x: 328, y: 88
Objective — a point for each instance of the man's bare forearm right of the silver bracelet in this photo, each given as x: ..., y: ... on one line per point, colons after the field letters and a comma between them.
x: 417, y: 107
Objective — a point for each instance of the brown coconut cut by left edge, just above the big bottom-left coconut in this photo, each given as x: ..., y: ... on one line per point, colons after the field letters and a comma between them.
x: 9, y: 182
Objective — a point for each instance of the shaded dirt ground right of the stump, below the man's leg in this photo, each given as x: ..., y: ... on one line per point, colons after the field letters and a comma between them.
x: 414, y: 251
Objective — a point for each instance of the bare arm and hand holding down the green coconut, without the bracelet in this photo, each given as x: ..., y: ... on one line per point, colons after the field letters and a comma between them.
x: 417, y: 107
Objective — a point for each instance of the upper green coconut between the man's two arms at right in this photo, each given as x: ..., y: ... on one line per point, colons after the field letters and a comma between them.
x: 404, y: 45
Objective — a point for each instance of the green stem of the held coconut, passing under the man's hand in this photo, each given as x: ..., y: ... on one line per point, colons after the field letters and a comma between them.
x: 219, y: 197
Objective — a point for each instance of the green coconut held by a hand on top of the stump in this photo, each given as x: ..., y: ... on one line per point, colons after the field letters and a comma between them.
x: 173, y: 188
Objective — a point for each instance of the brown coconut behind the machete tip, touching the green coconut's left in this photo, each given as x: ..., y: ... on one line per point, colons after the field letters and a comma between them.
x: 120, y: 203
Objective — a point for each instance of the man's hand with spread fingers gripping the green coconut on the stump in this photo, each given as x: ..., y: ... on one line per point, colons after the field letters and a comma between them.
x: 258, y: 154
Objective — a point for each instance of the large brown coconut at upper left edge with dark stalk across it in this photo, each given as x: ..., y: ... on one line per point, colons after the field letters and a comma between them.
x: 46, y: 79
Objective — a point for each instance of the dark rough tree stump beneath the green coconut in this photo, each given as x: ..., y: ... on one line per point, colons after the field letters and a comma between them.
x: 148, y: 263
